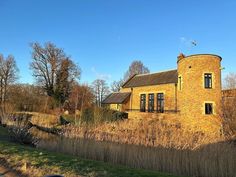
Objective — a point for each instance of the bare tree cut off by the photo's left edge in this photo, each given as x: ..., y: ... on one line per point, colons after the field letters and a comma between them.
x: 8, y: 75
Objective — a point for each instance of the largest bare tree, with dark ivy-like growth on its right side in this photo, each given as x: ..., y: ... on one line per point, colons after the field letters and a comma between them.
x: 53, y: 70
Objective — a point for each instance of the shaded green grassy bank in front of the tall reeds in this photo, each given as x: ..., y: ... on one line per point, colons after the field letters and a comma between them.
x: 48, y: 160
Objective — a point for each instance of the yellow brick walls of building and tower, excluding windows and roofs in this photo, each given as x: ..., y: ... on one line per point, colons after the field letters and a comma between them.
x: 188, y: 98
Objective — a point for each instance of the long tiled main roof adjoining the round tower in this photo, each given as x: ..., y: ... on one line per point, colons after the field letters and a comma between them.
x: 152, y: 79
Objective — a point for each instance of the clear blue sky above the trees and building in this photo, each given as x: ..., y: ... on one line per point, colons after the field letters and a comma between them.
x: 104, y: 36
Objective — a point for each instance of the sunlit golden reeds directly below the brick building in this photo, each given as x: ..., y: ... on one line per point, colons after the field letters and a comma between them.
x: 167, y: 132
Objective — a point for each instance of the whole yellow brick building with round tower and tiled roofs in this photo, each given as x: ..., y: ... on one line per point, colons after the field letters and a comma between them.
x: 192, y: 90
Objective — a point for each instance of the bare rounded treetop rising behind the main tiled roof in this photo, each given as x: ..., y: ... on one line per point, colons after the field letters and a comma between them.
x: 136, y: 67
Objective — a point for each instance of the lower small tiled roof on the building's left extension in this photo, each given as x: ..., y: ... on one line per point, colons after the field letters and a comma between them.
x: 116, y: 98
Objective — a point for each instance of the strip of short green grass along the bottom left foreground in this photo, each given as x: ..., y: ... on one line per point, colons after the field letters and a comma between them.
x: 43, y: 162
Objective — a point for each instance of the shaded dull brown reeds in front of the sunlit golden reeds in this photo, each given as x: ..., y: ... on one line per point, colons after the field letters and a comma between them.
x: 213, y: 160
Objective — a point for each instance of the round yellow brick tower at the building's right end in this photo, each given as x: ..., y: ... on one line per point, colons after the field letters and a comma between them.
x: 199, y: 85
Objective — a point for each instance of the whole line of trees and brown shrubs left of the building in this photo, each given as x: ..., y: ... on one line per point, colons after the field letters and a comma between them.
x: 57, y: 82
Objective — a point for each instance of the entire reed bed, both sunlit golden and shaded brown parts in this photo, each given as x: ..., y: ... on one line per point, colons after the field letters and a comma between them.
x: 192, y: 147
